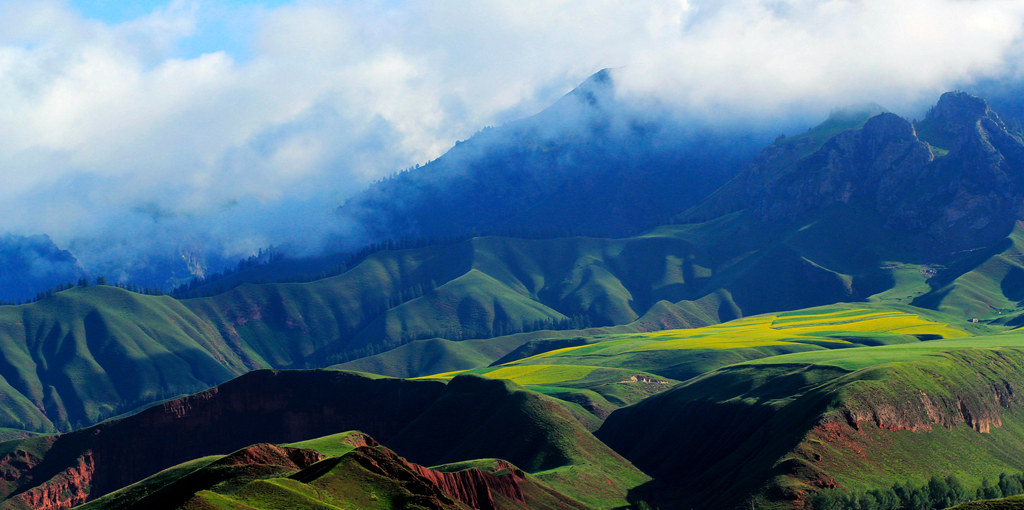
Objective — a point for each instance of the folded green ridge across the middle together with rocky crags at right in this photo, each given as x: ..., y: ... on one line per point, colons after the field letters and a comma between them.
x: 821, y: 234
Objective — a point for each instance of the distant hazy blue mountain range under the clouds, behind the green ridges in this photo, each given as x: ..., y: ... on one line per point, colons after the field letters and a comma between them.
x: 593, y: 164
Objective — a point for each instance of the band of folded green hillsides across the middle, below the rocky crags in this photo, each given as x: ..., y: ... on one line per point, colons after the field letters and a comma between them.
x: 94, y: 353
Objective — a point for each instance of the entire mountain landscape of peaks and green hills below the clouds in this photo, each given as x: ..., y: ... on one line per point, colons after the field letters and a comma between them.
x: 827, y: 323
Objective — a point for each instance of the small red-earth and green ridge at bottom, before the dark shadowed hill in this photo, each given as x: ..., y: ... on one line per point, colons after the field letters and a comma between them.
x: 346, y: 471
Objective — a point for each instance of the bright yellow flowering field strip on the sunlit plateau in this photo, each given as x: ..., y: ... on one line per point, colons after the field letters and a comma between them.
x: 685, y: 354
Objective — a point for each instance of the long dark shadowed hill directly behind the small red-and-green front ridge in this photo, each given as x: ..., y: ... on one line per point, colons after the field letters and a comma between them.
x: 428, y: 422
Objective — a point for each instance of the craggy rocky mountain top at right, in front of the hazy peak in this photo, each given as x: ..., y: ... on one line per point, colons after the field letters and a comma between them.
x: 952, y: 183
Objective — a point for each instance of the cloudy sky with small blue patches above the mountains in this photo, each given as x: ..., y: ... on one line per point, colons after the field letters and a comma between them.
x: 229, y: 126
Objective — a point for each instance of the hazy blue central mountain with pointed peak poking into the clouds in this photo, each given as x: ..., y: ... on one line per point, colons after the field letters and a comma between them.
x: 592, y: 163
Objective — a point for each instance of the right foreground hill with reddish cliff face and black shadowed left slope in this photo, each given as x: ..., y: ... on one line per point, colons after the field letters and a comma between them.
x: 864, y: 418
